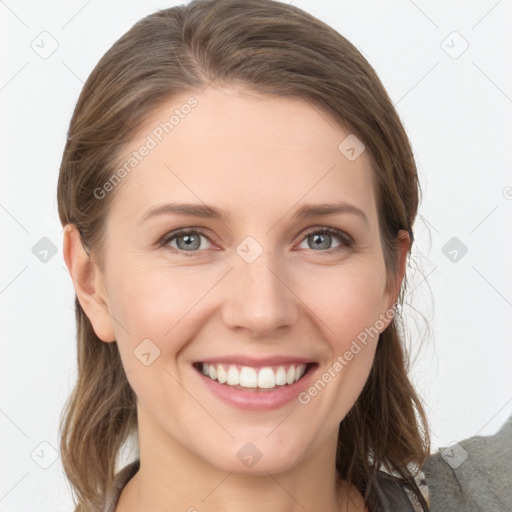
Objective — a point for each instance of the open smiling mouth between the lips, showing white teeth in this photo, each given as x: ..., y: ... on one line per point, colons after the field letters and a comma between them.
x: 255, y: 378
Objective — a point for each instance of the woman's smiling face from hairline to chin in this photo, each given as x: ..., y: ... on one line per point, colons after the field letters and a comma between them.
x: 252, y: 283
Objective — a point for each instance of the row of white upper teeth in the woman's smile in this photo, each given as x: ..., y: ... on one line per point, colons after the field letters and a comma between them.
x: 247, y: 377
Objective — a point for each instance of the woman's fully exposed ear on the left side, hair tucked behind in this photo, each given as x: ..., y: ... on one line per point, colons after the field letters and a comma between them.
x: 88, y: 282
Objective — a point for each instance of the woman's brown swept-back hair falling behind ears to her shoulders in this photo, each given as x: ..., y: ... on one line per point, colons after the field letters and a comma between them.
x: 275, y: 49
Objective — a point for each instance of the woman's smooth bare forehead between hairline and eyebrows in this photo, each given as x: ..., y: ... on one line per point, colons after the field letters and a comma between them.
x: 245, y: 152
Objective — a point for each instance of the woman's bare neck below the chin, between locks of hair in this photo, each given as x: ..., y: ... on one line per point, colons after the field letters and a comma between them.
x: 172, y: 478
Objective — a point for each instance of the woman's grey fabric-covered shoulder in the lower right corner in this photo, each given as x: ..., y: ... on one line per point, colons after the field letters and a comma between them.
x: 472, y: 475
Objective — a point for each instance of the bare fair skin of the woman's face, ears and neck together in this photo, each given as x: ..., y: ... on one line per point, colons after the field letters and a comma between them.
x: 259, y: 158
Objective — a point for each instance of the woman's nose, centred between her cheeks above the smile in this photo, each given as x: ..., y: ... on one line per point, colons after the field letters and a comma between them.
x: 259, y: 298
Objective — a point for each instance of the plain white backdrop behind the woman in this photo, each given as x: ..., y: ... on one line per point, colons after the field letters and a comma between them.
x: 444, y: 66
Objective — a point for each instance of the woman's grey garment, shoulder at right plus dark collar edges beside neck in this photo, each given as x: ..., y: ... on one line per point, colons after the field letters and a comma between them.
x: 480, y: 483
